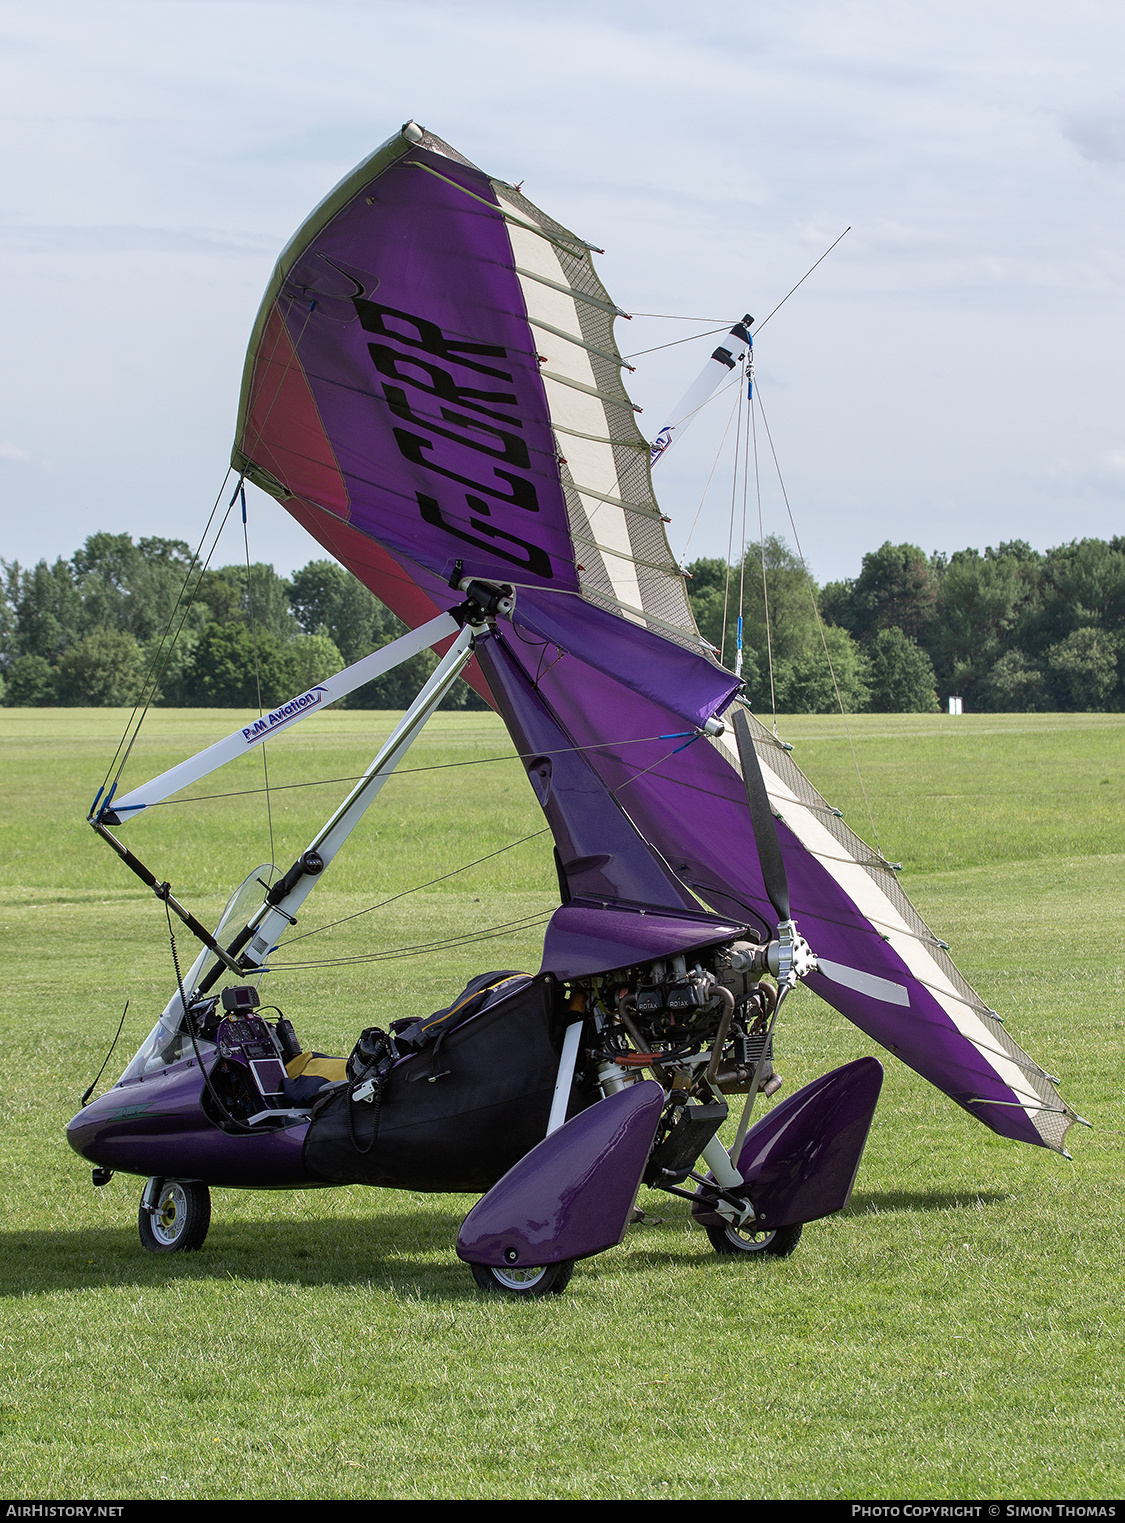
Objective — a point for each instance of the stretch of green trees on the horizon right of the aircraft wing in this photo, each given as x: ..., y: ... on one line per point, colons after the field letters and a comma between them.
x: 1009, y: 631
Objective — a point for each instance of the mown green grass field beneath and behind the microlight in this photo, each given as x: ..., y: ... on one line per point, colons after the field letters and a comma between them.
x: 957, y: 1333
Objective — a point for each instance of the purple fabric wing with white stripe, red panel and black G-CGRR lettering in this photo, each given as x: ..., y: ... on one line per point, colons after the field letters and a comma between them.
x: 433, y: 380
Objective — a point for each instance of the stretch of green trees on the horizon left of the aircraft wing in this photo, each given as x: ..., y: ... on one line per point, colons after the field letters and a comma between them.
x: 91, y: 631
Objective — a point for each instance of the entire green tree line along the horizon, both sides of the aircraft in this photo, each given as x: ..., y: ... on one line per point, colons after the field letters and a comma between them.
x: 1009, y: 630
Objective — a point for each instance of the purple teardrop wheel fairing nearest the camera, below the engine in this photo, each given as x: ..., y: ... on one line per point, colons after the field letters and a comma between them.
x: 572, y: 1196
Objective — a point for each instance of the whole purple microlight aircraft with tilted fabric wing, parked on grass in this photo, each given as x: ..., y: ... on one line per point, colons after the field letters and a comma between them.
x: 435, y: 392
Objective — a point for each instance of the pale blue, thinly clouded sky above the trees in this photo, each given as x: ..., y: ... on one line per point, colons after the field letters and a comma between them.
x: 951, y: 375
